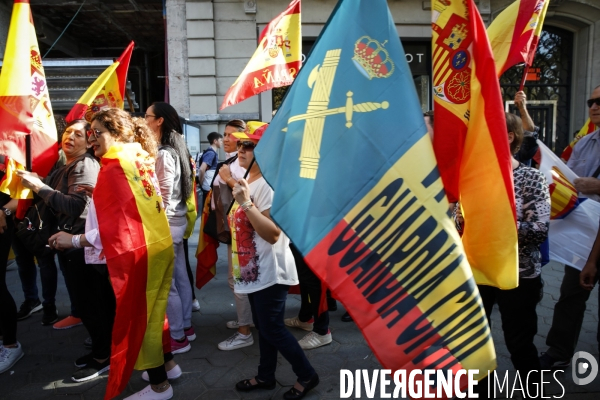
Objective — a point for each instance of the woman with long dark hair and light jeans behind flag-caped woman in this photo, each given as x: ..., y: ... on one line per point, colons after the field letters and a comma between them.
x: 175, y: 178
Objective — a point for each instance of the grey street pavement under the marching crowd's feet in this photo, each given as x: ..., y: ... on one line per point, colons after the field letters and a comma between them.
x: 45, y: 371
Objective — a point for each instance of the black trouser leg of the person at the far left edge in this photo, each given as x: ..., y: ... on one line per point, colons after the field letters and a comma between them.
x: 8, y: 308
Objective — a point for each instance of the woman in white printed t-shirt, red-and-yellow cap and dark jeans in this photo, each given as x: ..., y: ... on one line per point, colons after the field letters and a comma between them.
x: 263, y: 268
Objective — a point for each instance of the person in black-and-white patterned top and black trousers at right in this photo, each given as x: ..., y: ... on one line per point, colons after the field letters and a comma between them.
x: 518, y: 306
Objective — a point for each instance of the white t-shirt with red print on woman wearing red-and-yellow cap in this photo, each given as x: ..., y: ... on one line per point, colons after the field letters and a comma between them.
x: 258, y: 264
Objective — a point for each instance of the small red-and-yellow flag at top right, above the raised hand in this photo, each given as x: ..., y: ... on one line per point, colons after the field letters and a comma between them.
x: 515, y: 32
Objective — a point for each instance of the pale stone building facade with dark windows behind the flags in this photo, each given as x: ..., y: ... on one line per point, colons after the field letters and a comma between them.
x: 210, y: 42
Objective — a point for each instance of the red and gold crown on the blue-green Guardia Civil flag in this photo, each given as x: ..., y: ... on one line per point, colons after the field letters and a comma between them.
x: 372, y: 59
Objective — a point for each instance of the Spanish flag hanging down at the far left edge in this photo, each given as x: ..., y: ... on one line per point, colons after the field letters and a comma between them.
x: 25, y: 109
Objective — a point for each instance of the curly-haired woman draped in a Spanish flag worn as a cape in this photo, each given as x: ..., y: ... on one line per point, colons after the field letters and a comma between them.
x: 128, y: 230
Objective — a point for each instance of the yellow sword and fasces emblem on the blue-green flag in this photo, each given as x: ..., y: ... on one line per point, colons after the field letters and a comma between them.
x: 320, y: 80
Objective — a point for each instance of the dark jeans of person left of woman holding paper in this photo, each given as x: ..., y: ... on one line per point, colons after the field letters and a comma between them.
x: 28, y: 273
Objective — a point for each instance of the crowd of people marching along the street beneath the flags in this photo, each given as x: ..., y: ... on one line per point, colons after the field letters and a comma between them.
x: 149, y: 157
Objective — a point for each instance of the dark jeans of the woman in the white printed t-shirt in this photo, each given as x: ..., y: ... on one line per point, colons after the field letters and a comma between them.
x: 268, y: 308
